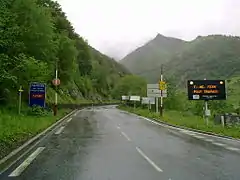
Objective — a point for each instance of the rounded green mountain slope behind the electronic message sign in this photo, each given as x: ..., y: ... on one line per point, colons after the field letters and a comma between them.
x: 211, y: 57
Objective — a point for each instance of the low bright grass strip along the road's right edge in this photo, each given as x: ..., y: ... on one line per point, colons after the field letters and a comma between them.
x: 184, y: 119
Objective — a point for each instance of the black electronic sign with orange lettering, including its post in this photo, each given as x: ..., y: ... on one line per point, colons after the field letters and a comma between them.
x: 206, y: 90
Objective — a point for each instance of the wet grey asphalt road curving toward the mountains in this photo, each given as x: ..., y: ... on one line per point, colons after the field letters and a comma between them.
x: 108, y: 144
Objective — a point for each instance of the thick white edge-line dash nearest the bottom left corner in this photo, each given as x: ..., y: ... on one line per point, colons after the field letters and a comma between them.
x: 26, y: 163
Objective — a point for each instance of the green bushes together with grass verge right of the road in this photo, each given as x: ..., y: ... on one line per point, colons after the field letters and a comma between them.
x: 178, y: 110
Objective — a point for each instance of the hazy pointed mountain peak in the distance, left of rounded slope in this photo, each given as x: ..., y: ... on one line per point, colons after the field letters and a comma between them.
x: 152, y: 54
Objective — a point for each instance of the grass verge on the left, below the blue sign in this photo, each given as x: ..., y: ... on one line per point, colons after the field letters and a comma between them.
x: 16, y: 129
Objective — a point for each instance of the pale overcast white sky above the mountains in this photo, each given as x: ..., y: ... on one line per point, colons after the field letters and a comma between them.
x: 116, y: 27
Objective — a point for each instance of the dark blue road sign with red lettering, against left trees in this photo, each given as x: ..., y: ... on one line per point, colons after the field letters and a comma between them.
x: 37, y: 94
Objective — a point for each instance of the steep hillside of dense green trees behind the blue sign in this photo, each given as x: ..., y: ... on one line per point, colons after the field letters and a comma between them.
x: 35, y: 37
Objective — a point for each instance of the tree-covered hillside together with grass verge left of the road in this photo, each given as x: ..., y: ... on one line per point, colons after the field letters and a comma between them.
x: 35, y: 38
